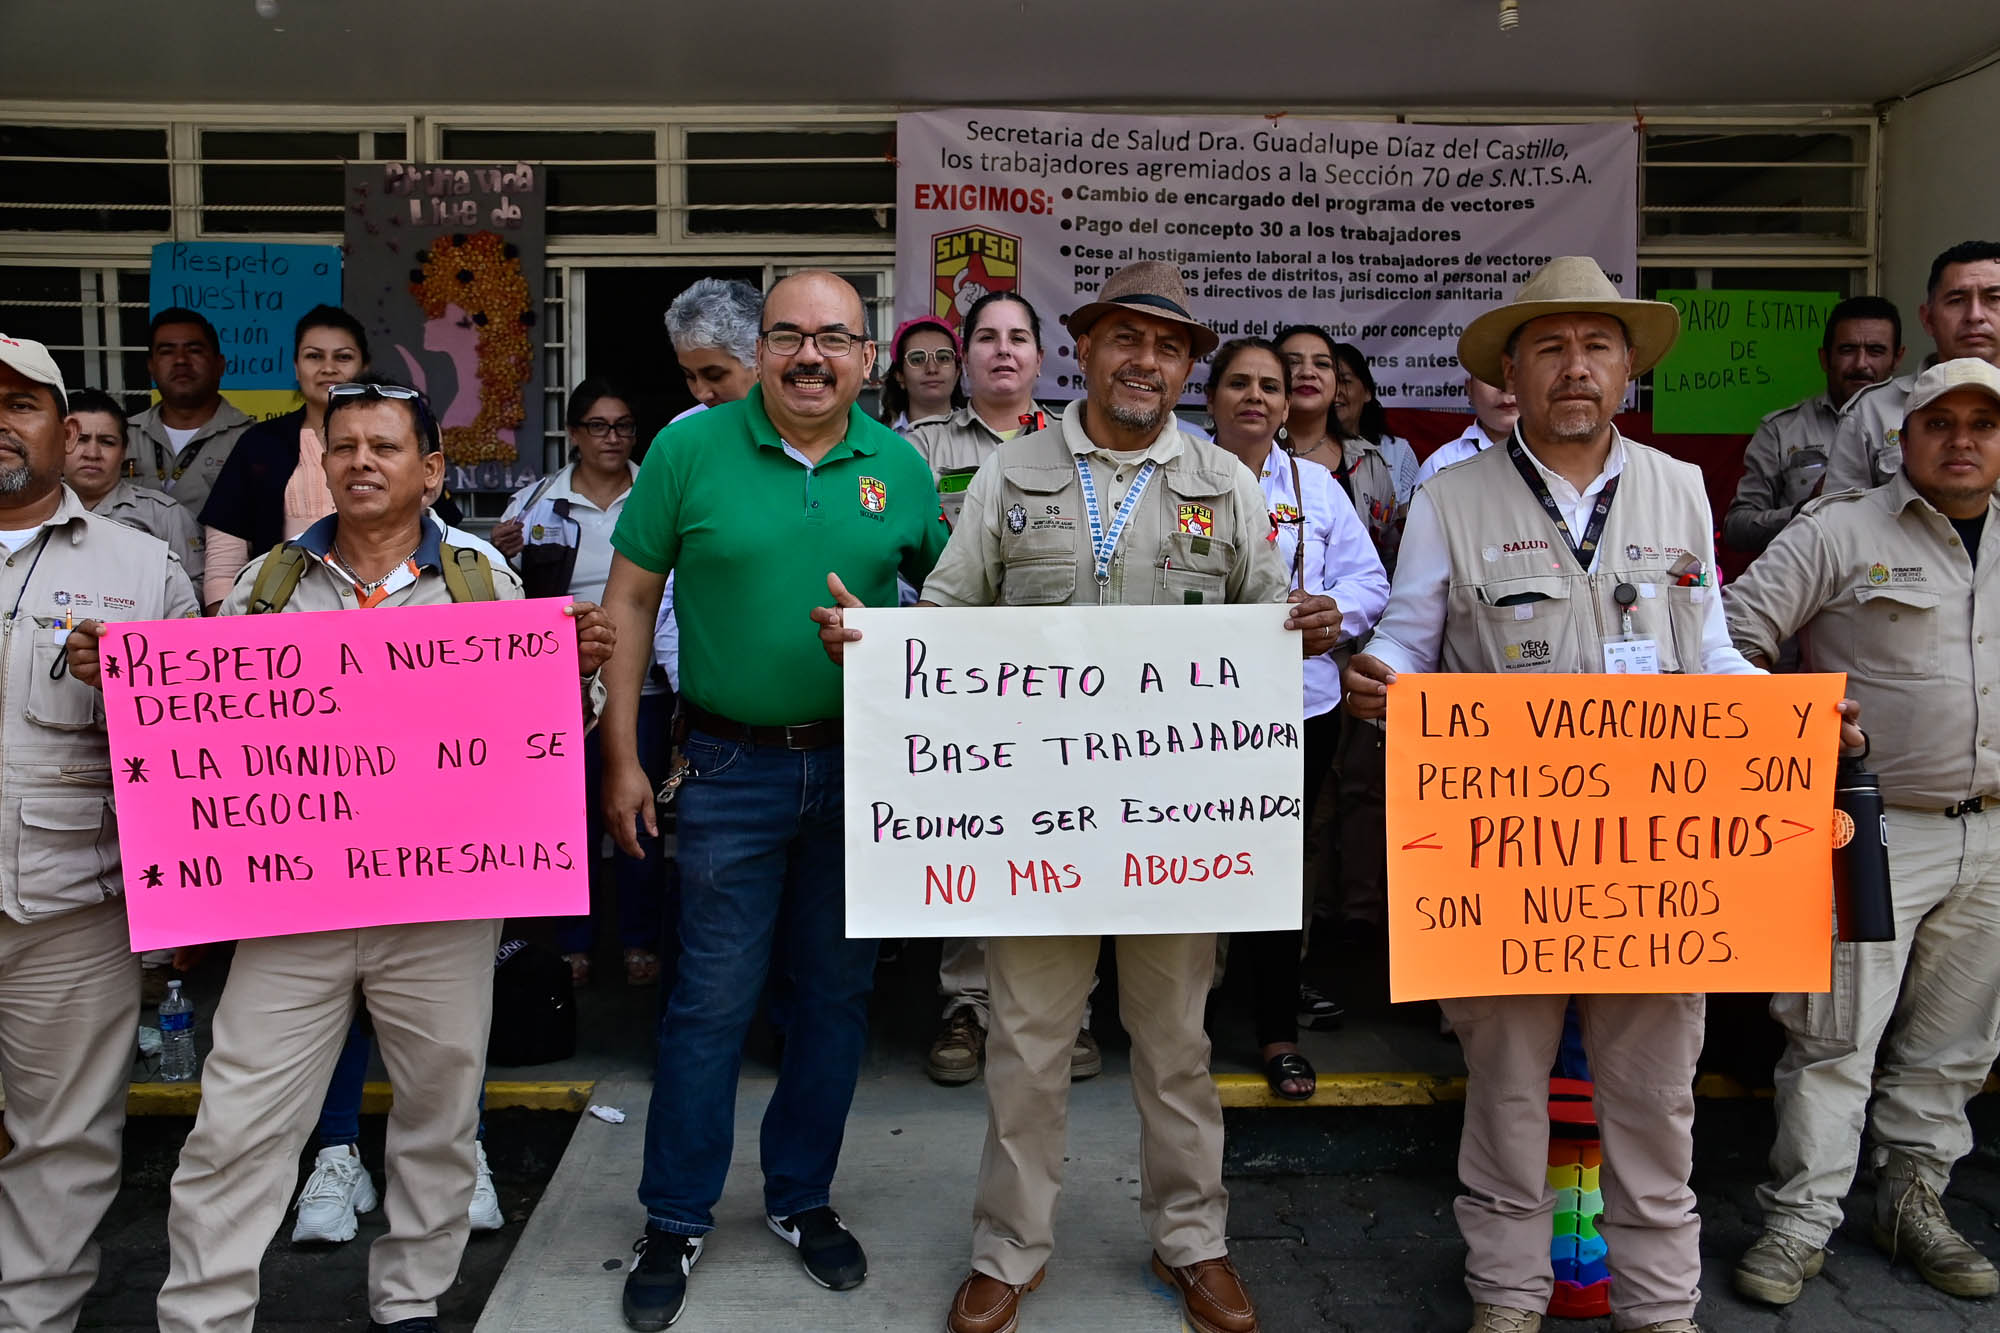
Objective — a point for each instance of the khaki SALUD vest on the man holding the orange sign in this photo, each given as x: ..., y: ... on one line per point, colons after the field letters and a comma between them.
x: 1519, y: 601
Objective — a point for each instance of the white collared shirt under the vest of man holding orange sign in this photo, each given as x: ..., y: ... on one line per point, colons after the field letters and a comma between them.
x: 1411, y: 633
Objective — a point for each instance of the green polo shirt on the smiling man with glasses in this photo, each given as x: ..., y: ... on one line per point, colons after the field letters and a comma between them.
x: 751, y: 535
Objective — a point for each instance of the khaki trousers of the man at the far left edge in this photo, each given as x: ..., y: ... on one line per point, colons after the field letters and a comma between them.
x: 69, y: 1008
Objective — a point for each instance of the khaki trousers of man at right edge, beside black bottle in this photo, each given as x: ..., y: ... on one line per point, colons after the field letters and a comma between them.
x: 1925, y: 1010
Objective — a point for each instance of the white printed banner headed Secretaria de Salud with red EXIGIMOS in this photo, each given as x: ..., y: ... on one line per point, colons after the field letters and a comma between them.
x: 1393, y: 237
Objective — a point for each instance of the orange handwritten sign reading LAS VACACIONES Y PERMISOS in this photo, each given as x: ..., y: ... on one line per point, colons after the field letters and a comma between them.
x: 1553, y: 836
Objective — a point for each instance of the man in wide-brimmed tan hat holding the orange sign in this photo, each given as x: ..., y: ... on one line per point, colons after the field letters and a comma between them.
x: 1569, y: 529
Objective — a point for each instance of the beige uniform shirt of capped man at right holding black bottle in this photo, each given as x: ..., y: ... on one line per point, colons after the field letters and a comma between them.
x: 1879, y: 585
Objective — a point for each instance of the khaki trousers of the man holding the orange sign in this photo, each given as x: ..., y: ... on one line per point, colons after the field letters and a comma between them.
x: 1643, y: 1064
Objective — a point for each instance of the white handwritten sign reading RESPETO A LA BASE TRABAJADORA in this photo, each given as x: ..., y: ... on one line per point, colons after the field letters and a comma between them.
x: 1073, y: 772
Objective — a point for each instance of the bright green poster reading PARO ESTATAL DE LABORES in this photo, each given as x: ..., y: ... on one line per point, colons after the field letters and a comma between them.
x: 1741, y: 355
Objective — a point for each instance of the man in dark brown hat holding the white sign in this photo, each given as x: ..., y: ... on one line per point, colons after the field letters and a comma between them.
x: 1187, y: 523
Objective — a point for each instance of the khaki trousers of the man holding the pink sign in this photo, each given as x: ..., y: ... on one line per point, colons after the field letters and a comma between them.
x: 279, y: 1030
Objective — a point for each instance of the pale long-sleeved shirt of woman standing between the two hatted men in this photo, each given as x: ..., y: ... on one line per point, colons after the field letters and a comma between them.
x: 1341, y: 559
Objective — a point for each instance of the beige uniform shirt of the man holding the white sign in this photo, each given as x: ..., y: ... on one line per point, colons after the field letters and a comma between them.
x: 1201, y: 531
